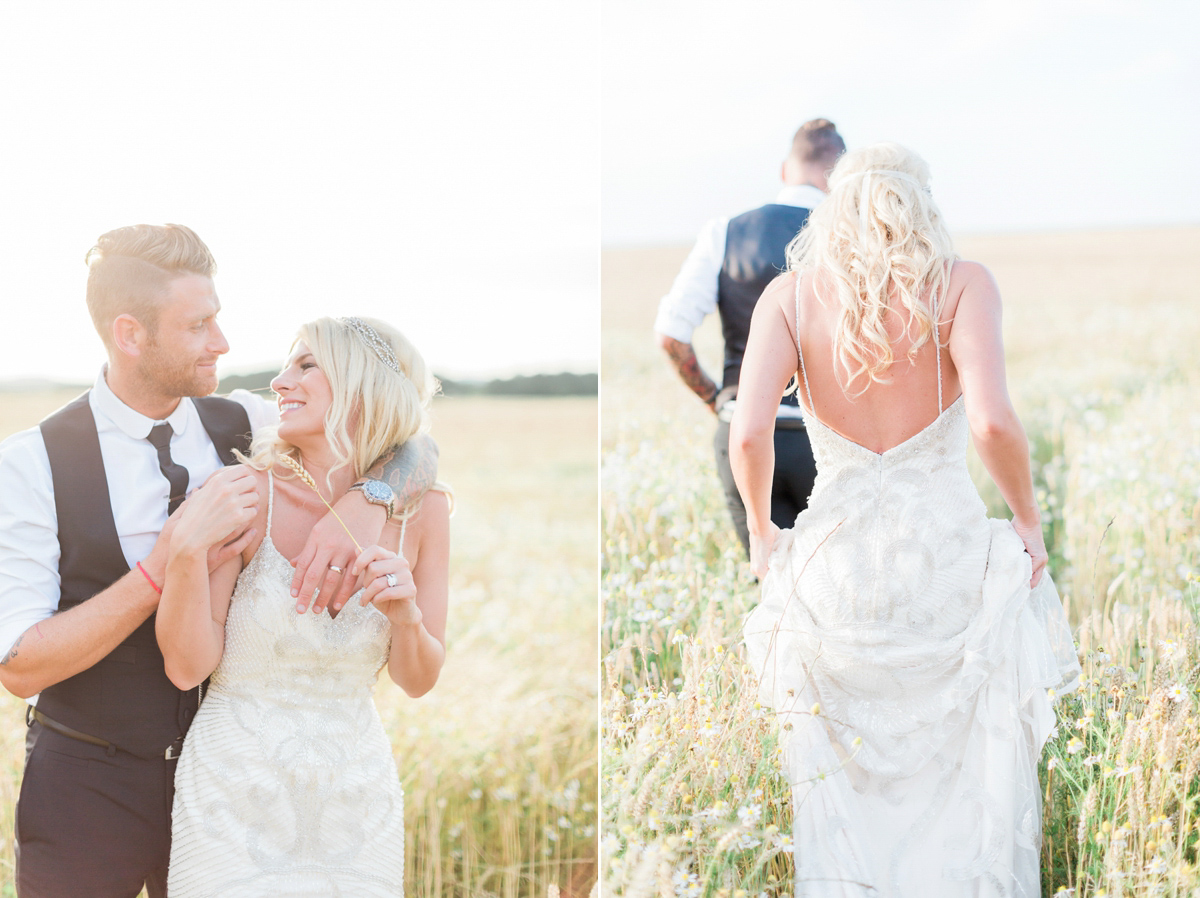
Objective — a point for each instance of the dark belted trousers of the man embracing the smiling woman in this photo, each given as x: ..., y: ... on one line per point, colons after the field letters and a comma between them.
x: 92, y: 824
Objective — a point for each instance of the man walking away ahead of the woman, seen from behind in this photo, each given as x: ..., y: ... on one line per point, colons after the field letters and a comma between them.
x: 729, y: 268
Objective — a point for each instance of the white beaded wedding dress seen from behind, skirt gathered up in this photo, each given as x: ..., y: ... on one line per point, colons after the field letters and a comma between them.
x: 908, y: 661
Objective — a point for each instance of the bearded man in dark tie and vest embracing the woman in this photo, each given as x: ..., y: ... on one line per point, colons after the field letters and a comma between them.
x: 85, y: 534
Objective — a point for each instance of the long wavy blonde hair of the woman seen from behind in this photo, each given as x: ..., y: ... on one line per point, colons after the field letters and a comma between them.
x: 878, y: 244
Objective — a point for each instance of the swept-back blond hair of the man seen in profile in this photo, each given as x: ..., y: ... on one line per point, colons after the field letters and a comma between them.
x: 131, y: 270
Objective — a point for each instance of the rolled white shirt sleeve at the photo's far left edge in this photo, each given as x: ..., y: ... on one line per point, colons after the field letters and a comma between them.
x: 29, y: 537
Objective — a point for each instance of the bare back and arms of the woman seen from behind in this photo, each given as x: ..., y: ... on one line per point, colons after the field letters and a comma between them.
x: 886, y: 415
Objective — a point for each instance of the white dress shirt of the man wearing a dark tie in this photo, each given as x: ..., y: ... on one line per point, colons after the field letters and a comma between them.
x: 139, y: 493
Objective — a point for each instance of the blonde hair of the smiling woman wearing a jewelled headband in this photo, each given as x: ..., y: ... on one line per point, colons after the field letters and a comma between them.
x: 374, y: 410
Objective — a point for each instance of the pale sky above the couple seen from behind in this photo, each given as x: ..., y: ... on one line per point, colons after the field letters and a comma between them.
x: 1034, y: 115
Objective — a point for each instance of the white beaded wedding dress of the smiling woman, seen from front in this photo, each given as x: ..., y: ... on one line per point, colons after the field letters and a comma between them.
x: 287, y: 785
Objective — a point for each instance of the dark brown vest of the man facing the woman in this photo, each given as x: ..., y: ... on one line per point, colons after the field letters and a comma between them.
x: 125, y: 698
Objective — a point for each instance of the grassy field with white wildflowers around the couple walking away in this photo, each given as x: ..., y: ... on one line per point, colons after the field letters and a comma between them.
x: 1101, y: 333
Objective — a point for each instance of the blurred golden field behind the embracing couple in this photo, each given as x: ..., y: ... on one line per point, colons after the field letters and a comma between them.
x: 500, y: 762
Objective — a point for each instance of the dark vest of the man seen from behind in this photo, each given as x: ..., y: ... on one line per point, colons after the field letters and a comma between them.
x: 754, y: 256
